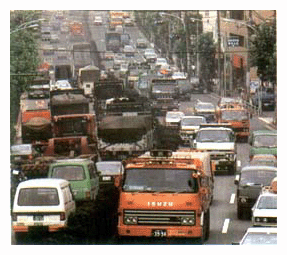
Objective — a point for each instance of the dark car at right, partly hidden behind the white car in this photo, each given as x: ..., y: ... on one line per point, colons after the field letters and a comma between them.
x: 249, y: 182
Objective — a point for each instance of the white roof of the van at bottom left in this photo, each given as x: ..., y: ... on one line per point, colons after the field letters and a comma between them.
x: 43, y: 182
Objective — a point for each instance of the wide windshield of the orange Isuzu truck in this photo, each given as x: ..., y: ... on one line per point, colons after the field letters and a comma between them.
x: 159, y: 180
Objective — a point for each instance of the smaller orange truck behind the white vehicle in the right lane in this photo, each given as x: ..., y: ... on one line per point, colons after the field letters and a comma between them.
x: 238, y: 117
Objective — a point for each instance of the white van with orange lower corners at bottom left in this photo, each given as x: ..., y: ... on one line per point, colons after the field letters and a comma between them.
x: 43, y: 203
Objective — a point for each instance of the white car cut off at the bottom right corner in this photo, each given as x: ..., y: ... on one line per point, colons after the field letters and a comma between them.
x: 259, y: 236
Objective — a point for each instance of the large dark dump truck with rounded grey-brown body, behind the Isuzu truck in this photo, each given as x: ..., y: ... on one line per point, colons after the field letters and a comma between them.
x: 126, y: 129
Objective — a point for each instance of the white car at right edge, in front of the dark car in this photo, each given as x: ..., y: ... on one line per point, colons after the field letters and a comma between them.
x: 264, y: 212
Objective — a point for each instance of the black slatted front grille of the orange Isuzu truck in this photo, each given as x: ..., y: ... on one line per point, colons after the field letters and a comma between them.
x: 151, y: 217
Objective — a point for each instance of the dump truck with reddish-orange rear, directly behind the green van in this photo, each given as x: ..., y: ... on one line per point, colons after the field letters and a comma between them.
x: 74, y: 128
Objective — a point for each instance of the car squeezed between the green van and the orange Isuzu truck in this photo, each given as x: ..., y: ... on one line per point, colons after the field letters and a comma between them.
x: 109, y: 171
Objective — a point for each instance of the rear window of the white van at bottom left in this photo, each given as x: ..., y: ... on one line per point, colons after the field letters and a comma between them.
x: 38, y: 197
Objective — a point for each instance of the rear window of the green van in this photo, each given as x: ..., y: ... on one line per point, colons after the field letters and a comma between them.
x: 69, y: 173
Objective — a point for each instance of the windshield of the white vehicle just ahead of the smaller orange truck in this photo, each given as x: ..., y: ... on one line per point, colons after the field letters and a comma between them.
x: 214, y: 136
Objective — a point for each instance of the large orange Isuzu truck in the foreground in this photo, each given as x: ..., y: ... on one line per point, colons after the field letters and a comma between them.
x: 166, y: 194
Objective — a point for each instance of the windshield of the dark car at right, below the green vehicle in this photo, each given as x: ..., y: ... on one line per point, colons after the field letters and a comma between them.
x: 257, y: 177
